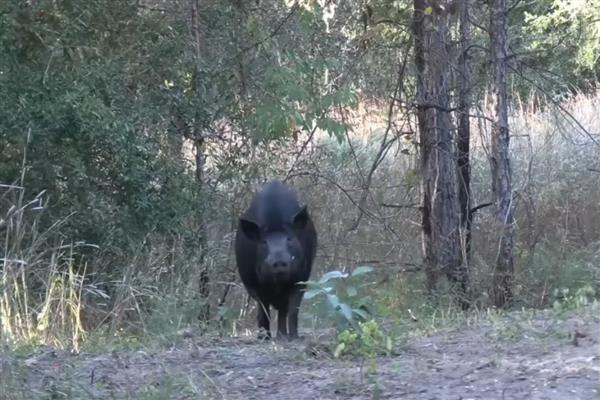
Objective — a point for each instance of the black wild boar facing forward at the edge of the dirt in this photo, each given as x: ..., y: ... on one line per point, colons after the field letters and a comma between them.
x: 275, y: 247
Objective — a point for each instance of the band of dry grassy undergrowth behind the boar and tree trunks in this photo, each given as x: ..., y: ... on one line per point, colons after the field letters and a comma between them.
x: 55, y: 289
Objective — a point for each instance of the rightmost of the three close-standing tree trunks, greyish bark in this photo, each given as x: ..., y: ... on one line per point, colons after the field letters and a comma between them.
x: 499, y: 158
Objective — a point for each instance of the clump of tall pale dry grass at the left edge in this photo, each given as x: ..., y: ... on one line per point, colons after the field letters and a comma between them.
x: 41, y: 285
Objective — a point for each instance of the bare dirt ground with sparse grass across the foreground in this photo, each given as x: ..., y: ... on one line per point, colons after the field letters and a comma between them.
x: 515, y: 357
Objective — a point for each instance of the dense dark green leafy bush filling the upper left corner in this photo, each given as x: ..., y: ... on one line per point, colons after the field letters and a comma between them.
x: 79, y: 102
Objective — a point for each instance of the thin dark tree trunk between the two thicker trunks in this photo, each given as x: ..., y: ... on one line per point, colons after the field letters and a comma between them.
x: 463, y: 141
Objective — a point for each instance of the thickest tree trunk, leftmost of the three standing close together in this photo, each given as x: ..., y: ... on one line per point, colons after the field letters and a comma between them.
x: 441, y: 218
